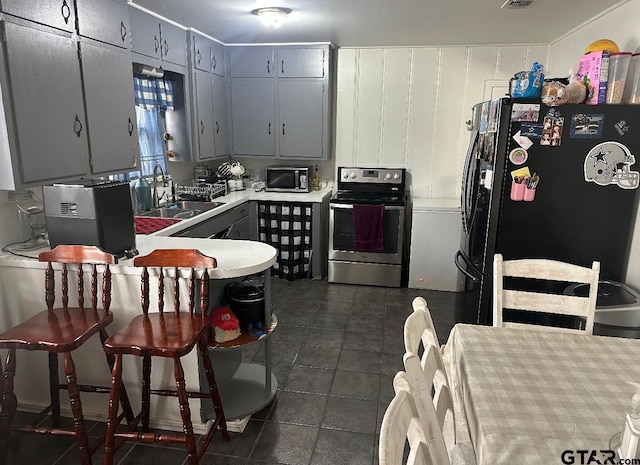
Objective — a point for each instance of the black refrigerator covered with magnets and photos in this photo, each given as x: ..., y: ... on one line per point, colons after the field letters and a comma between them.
x: 546, y: 182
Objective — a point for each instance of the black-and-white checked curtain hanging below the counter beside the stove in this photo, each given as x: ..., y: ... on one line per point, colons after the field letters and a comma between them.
x: 287, y: 227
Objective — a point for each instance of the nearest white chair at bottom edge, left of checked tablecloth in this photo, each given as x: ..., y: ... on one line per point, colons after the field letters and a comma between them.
x: 402, y: 423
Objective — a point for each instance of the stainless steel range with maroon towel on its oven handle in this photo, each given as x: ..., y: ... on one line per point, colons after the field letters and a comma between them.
x: 370, y: 203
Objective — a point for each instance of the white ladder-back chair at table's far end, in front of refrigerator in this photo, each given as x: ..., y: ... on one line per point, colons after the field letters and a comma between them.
x: 551, y: 303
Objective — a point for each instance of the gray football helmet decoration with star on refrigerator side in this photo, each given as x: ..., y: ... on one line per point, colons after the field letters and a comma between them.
x: 609, y: 163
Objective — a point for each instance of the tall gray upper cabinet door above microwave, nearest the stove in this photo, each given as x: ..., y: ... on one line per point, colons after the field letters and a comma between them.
x: 300, y: 120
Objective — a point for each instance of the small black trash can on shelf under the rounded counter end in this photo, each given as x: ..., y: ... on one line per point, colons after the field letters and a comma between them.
x: 246, y: 299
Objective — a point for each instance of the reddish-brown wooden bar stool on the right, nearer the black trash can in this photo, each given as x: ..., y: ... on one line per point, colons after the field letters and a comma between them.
x: 166, y: 334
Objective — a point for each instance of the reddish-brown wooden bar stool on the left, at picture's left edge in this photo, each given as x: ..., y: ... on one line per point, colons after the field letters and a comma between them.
x: 62, y: 330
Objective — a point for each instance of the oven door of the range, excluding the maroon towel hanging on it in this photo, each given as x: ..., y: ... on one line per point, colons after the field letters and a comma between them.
x: 342, y: 240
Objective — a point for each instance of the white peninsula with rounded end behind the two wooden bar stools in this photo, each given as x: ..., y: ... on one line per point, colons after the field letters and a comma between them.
x: 22, y: 296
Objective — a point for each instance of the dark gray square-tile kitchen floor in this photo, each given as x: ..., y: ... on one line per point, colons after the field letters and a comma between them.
x: 335, y: 352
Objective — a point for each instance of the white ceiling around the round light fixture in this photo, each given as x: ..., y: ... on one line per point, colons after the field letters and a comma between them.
x: 361, y: 23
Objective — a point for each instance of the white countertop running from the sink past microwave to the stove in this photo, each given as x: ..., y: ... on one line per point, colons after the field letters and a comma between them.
x: 233, y: 199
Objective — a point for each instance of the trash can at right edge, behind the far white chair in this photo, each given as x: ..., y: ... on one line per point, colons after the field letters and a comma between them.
x: 617, y: 309
